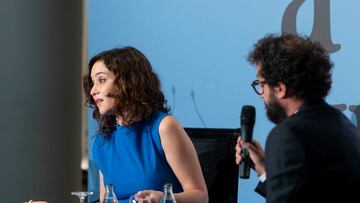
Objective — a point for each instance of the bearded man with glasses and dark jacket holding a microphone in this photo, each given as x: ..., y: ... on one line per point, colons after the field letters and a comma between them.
x: 313, y: 152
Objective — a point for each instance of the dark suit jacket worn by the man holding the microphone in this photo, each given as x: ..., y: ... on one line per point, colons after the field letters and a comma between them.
x: 313, y: 156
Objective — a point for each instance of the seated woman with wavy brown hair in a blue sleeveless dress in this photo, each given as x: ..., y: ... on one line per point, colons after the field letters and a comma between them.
x: 140, y: 147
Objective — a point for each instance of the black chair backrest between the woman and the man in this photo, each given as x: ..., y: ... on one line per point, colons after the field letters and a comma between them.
x: 215, y: 149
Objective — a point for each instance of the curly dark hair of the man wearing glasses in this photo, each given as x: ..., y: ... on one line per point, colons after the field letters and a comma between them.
x: 301, y: 64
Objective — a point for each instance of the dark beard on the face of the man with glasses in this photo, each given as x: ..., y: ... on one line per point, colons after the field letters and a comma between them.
x: 275, y: 112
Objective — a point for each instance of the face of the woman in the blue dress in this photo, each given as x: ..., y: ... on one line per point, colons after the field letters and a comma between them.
x: 102, y: 90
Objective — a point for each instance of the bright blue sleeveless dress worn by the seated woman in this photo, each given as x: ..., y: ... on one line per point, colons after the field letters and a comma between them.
x: 133, y: 159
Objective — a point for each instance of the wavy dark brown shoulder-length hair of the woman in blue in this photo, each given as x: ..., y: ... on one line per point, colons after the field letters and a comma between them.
x: 137, y: 90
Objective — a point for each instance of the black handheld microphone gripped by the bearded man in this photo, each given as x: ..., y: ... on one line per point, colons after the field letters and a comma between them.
x: 247, y: 121
